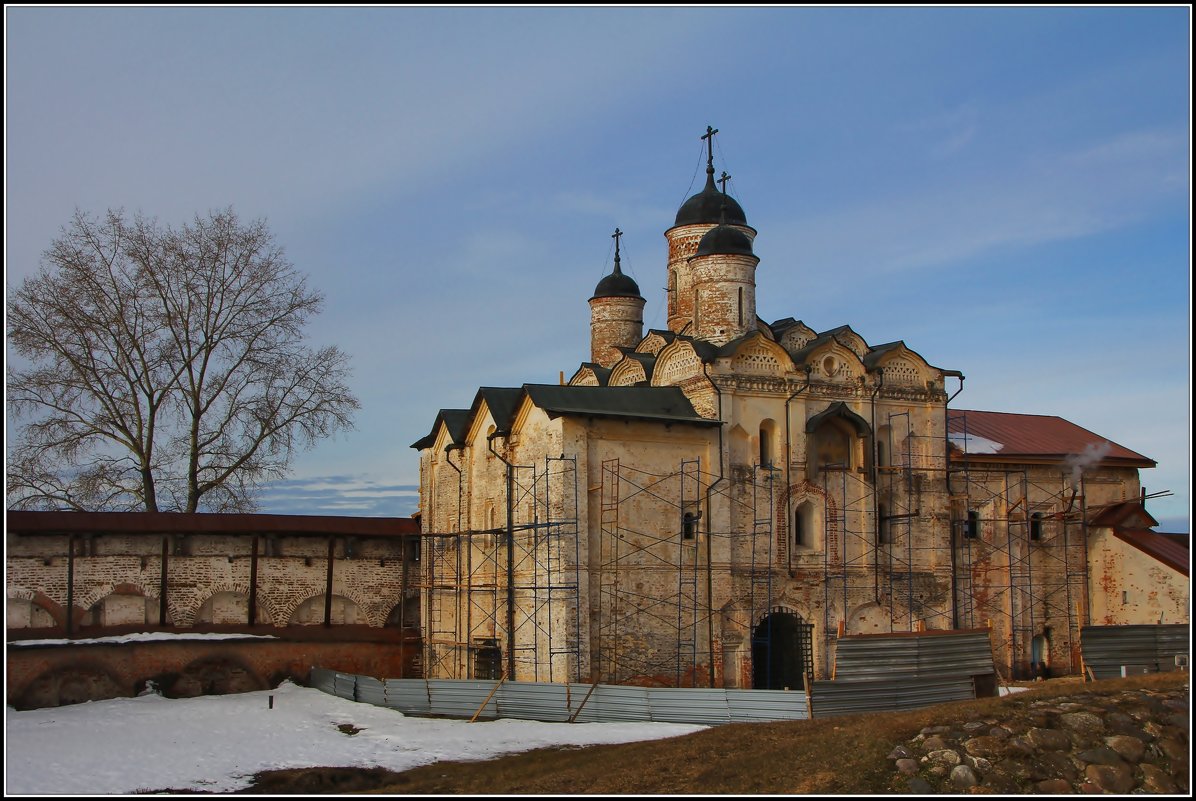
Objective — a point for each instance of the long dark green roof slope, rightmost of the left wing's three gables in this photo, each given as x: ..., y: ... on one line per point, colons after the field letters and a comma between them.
x: 667, y: 405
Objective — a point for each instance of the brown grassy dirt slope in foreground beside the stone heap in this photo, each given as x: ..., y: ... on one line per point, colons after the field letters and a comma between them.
x: 829, y: 756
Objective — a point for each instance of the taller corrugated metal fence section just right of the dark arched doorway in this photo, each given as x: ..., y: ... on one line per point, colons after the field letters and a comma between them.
x: 907, y: 671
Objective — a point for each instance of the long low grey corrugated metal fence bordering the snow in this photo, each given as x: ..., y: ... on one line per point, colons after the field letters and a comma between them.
x: 564, y: 702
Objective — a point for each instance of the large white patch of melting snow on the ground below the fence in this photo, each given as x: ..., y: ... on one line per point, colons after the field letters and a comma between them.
x: 218, y: 743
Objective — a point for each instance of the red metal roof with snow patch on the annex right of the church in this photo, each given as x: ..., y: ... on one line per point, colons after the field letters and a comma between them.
x: 1035, y: 437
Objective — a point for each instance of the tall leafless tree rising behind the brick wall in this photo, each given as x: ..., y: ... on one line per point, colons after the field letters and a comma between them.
x: 167, y: 369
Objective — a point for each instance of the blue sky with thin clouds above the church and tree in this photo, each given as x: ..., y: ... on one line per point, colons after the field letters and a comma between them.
x: 1005, y: 189
